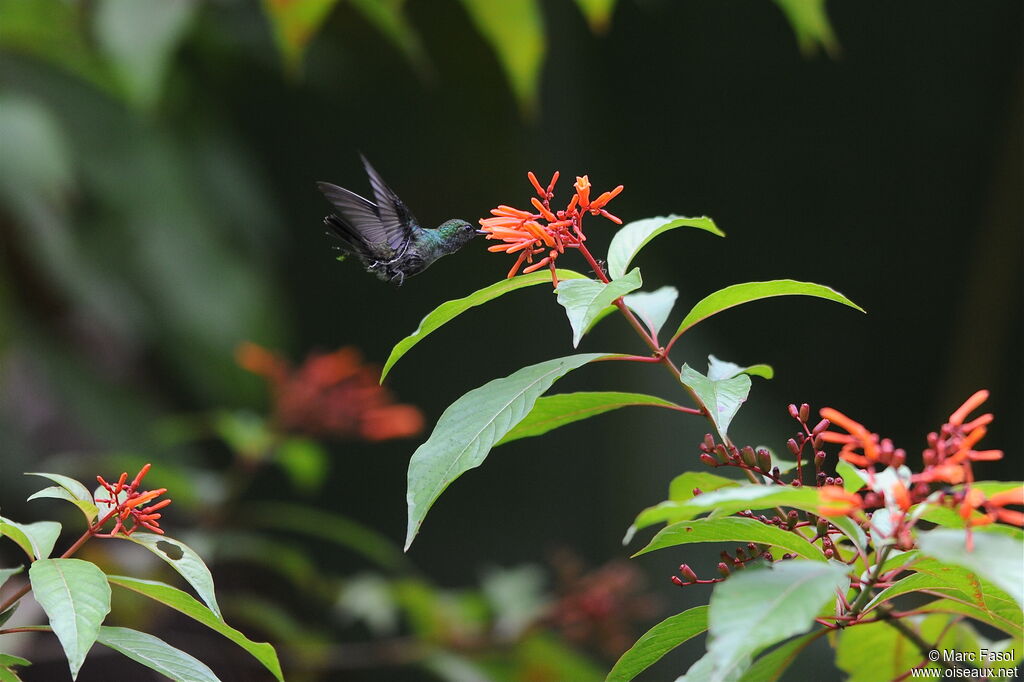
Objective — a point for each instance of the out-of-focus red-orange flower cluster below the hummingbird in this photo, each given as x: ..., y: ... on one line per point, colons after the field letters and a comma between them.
x: 333, y: 395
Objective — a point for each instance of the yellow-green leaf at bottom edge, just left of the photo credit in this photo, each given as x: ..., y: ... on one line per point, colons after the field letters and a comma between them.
x: 875, y: 652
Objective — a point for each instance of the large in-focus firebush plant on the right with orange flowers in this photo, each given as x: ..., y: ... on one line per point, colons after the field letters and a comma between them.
x: 887, y: 563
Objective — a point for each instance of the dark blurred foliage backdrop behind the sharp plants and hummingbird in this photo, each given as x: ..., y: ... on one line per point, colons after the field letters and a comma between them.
x: 157, y: 210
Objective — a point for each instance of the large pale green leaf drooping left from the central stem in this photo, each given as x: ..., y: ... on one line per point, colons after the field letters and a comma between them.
x: 472, y: 427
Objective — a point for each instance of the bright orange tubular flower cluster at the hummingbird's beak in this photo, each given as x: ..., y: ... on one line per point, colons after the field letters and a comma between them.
x: 545, y: 232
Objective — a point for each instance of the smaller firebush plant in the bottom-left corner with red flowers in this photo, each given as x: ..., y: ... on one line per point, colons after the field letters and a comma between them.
x: 75, y: 594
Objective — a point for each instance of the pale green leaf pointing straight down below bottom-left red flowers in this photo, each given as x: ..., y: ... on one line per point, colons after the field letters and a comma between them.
x: 76, y: 599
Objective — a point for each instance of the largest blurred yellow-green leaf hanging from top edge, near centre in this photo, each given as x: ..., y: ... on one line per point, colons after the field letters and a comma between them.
x: 516, y: 31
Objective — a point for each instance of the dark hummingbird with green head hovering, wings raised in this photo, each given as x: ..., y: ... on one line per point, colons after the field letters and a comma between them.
x: 386, y: 236
